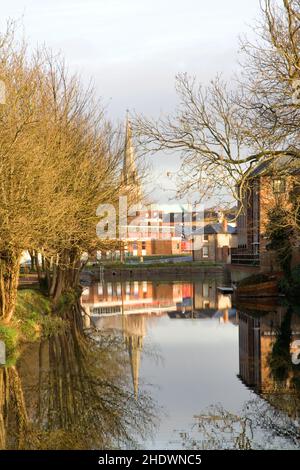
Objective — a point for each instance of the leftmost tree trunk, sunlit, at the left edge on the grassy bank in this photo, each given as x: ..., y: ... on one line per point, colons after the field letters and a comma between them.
x: 9, y: 279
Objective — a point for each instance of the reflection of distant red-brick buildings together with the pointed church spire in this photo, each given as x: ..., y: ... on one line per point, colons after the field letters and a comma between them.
x: 127, y: 307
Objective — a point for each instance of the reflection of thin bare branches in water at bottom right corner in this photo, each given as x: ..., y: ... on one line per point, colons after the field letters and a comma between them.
x: 258, y: 426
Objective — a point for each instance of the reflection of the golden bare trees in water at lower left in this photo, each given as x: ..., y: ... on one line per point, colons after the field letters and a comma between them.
x: 77, y: 395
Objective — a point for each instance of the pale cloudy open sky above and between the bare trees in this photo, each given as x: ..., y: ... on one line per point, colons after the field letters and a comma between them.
x: 132, y: 50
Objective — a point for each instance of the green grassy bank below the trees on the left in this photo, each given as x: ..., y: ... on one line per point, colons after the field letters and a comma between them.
x: 32, y: 321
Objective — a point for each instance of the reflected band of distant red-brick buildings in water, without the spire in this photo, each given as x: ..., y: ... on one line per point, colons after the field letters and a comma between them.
x: 201, y: 299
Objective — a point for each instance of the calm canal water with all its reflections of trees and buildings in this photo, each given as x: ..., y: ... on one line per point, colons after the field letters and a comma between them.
x: 167, y: 365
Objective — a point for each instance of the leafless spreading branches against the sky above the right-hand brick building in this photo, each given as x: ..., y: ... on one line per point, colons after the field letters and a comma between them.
x: 223, y: 131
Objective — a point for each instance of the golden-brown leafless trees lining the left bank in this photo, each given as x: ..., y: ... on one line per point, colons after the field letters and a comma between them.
x: 59, y: 159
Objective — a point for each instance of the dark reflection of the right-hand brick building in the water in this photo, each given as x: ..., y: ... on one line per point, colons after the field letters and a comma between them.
x: 258, y: 333
